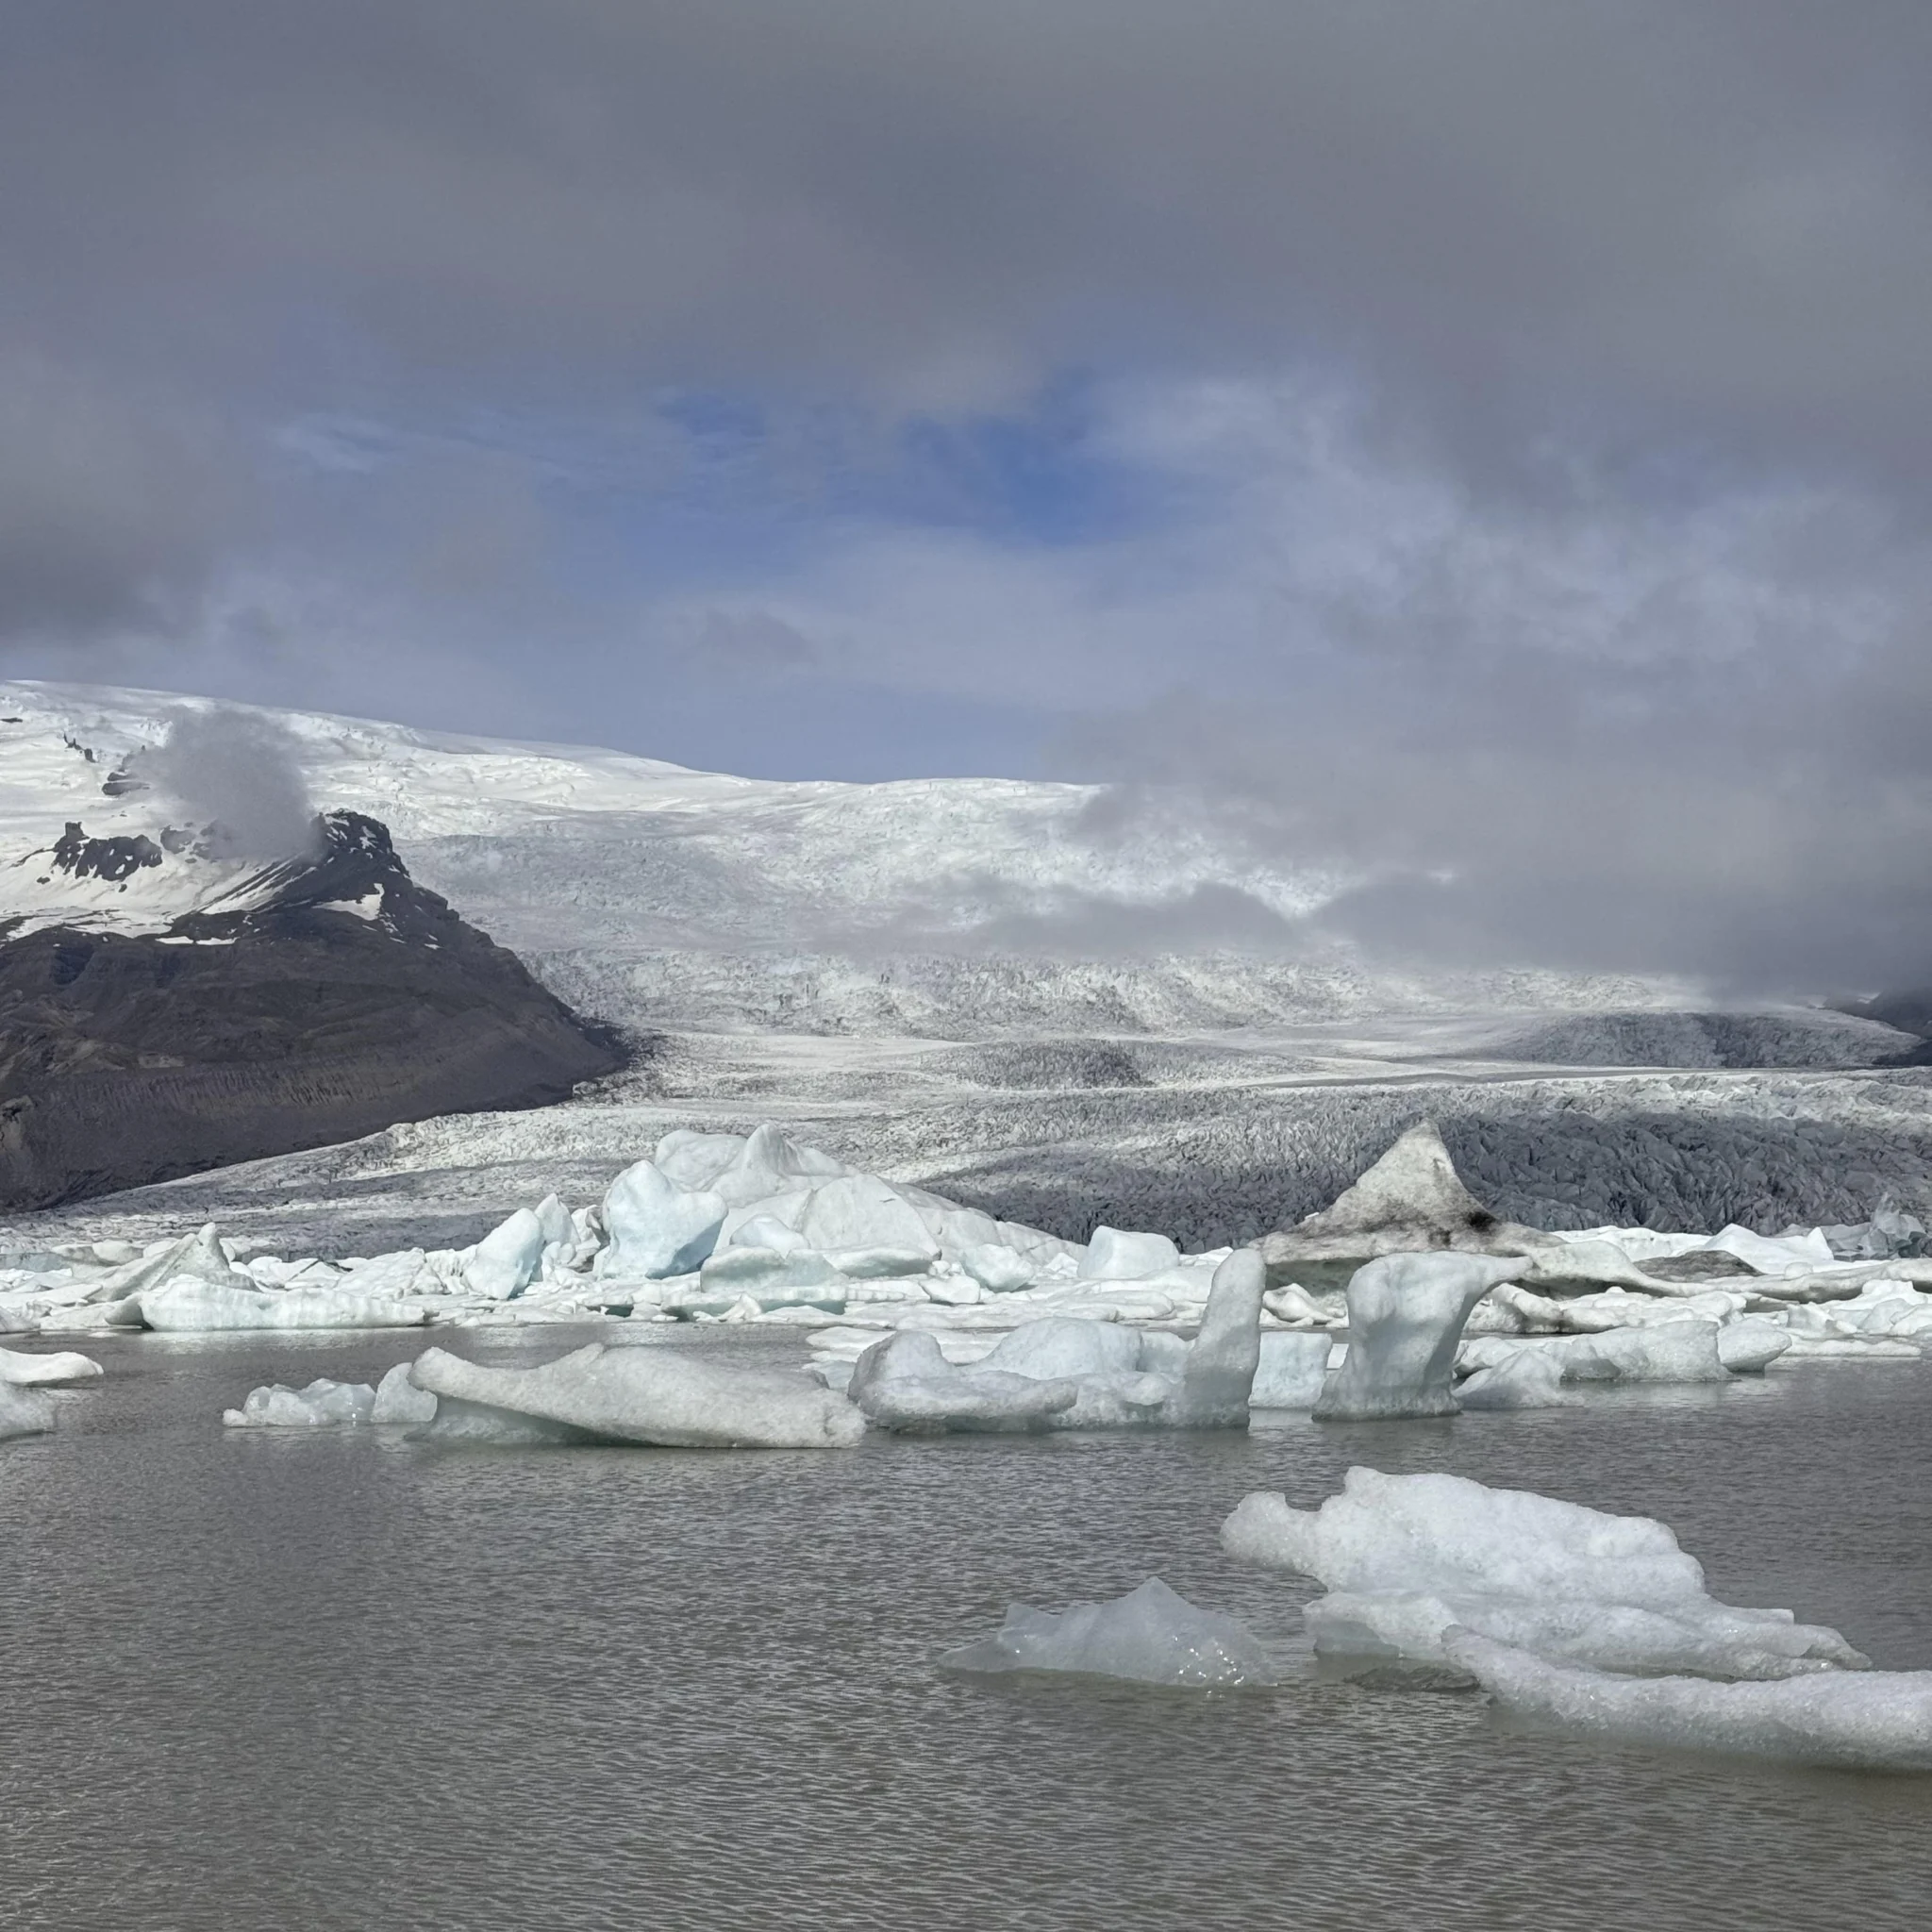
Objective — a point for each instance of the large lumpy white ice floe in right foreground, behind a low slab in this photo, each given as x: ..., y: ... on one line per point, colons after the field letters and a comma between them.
x: 1409, y: 1558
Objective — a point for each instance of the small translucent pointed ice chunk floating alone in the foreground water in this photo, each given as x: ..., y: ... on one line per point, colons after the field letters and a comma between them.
x: 1151, y: 1637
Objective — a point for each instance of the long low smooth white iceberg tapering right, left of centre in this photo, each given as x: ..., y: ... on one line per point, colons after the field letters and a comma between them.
x: 644, y: 1396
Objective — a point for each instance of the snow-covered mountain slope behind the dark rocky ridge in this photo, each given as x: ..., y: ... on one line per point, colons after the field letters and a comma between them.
x: 650, y: 895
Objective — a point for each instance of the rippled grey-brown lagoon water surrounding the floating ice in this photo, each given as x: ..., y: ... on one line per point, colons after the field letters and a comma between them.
x: 349, y: 1682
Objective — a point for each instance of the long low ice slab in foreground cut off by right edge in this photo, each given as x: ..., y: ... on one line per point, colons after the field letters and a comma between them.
x: 1858, y: 1720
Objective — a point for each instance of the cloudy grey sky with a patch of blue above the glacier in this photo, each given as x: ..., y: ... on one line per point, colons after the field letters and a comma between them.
x: 1481, y: 447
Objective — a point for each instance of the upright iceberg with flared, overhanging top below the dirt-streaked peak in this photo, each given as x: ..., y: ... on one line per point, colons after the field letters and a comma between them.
x: 1406, y: 1321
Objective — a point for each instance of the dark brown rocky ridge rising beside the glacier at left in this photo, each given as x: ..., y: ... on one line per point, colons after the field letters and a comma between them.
x: 291, y: 1025
